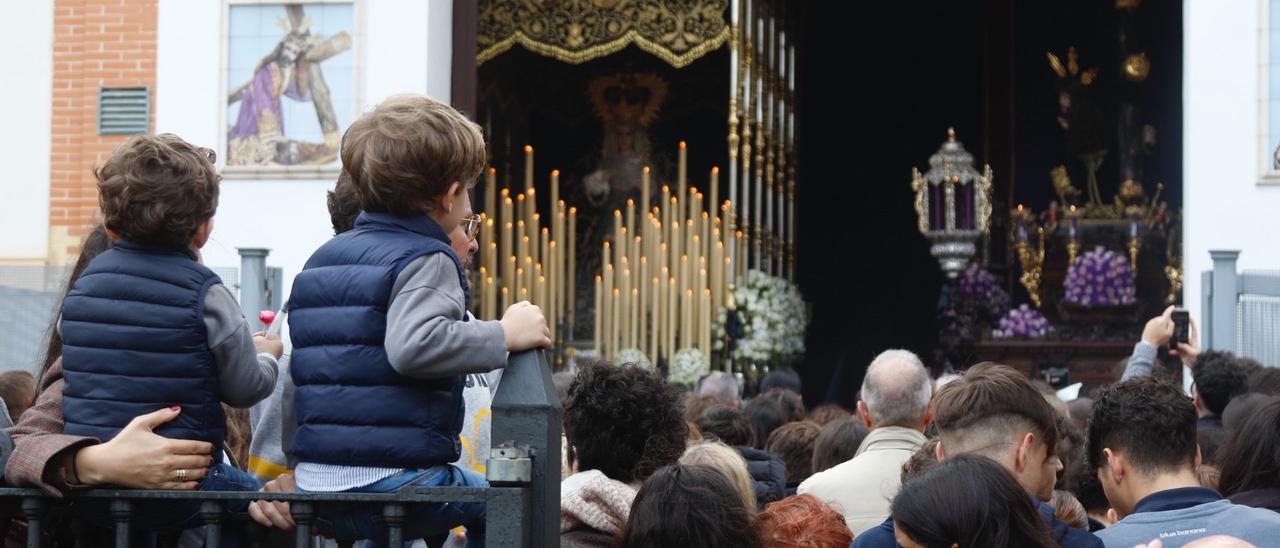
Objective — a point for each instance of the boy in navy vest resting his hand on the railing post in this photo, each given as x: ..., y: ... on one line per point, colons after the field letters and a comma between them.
x: 382, y: 345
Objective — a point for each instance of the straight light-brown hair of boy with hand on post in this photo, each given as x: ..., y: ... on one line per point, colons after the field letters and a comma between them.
x: 408, y: 152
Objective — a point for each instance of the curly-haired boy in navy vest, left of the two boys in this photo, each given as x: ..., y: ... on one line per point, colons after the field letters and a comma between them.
x: 148, y: 327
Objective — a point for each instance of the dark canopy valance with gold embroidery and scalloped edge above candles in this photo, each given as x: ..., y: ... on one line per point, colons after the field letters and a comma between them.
x: 578, y: 31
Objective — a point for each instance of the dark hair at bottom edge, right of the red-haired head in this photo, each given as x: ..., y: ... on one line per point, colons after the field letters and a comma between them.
x: 970, y: 501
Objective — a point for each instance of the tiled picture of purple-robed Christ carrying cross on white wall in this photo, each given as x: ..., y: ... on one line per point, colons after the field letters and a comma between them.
x: 290, y: 79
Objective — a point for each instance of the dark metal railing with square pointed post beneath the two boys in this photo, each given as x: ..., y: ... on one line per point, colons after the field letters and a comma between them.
x: 523, y: 501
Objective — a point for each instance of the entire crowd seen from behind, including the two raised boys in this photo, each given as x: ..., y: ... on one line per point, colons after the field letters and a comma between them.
x: 383, y: 382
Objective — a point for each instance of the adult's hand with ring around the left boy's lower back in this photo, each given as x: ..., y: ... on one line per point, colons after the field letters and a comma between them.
x: 138, y: 458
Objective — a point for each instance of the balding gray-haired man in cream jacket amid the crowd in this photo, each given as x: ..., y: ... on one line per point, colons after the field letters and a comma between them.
x: 895, y: 407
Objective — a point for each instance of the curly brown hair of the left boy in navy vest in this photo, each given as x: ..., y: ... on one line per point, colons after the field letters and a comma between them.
x: 158, y: 190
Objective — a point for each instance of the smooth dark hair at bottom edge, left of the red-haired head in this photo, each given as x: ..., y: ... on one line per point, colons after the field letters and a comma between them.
x: 691, y: 506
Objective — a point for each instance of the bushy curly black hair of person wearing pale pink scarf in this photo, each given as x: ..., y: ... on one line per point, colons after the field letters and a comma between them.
x: 625, y: 422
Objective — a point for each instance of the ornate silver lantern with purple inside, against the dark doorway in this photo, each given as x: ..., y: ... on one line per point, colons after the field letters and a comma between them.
x: 953, y: 202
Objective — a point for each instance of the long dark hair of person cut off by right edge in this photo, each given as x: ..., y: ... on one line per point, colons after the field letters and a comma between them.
x: 1251, y: 460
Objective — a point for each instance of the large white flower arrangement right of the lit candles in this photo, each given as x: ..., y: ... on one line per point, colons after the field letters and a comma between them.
x: 775, y: 319
